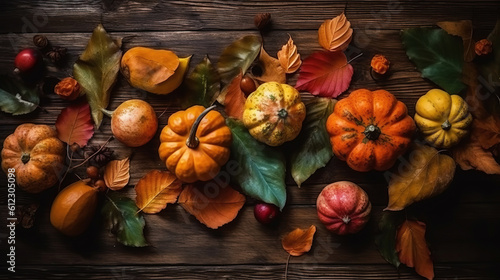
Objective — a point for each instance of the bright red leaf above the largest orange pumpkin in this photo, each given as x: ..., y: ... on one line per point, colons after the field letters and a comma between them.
x: 325, y: 73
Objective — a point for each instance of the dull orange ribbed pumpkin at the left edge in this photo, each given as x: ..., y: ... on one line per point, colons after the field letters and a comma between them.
x: 36, y: 155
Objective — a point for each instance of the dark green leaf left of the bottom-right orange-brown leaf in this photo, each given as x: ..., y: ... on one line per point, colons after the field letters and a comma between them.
x: 386, y: 239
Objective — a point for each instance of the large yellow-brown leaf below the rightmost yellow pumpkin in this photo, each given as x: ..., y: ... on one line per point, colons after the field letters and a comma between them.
x: 426, y: 173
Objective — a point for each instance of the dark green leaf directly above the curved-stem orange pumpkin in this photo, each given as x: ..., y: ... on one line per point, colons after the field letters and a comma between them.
x: 202, y: 85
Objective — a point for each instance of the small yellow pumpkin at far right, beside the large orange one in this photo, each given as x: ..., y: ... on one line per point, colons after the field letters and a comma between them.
x: 443, y: 119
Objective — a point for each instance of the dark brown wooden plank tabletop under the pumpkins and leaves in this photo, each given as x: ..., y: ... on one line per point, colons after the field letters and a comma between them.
x: 463, y: 224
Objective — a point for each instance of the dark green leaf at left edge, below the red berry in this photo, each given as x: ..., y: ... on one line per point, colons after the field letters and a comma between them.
x: 17, y: 98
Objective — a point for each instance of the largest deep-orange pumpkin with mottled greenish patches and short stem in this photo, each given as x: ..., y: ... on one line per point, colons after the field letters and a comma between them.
x: 370, y: 130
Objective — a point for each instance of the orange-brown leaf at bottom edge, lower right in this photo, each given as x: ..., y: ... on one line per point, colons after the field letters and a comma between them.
x: 412, y: 248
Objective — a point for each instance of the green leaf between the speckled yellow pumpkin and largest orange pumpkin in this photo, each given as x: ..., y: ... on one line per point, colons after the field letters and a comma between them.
x: 312, y: 149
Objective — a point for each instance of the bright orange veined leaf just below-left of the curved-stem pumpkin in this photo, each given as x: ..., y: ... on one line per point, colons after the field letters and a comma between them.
x: 155, y: 190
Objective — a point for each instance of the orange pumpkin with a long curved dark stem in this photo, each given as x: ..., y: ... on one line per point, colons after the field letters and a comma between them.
x: 195, y: 144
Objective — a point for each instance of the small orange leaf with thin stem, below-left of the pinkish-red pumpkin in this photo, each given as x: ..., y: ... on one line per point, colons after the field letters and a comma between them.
x: 299, y: 241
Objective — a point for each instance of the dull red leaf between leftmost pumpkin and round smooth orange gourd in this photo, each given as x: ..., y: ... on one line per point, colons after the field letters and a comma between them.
x: 74, y: 124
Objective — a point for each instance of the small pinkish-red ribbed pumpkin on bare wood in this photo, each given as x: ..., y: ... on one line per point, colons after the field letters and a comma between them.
x: 343, y: 207
